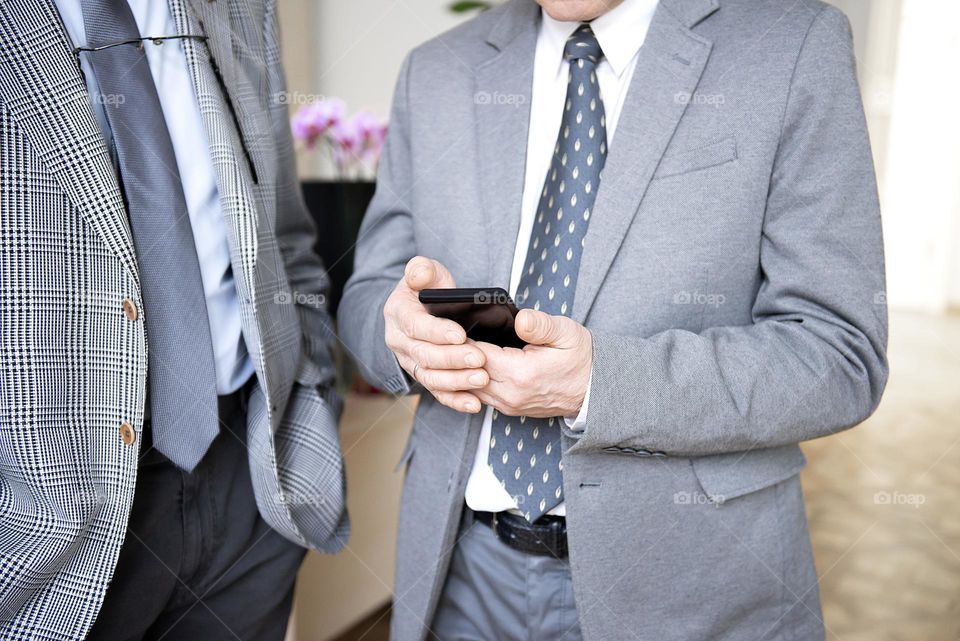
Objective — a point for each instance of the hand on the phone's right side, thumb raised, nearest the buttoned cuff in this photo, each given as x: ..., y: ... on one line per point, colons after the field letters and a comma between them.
x: 548, y: 377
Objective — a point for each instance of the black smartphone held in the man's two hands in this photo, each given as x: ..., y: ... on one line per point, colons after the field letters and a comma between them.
x: 486, y: 313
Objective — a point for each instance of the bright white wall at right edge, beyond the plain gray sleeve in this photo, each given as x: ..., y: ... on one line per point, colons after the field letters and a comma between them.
x: 921, y: 187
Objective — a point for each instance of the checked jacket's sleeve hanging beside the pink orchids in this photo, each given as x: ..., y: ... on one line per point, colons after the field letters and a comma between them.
x: 296, y: 234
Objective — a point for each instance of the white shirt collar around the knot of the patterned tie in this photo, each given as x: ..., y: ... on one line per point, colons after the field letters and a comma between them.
x: 620, y: 32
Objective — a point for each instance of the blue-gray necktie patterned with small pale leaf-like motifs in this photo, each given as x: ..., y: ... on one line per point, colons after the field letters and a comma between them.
x: 525, y: 452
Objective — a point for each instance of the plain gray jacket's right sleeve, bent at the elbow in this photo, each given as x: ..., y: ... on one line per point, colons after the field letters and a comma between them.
x: 813, y: 361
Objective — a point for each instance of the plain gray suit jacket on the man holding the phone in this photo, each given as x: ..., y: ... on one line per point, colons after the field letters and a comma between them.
x: 733, y: 281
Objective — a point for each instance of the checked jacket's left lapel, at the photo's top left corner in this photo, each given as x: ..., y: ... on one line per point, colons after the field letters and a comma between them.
x: 42, y: 88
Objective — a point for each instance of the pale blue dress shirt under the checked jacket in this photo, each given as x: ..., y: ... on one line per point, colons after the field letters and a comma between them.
x: 171, y: 75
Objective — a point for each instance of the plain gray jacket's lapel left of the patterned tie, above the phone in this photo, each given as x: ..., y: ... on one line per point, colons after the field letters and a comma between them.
x: 502, y: 131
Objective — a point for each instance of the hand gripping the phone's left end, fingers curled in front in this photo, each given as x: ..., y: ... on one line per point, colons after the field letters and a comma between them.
x: 433, y: 351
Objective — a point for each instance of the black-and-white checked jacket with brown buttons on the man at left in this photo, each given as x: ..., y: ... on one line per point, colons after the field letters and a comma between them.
x: 73, y: 366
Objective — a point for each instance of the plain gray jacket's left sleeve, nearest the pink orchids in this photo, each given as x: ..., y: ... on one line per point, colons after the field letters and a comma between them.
x: 386, y: 242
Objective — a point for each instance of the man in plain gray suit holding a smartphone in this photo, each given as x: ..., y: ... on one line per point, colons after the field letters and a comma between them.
x: 681, y: 197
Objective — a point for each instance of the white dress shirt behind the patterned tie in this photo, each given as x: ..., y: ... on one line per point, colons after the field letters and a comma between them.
x: 620, y: 33
